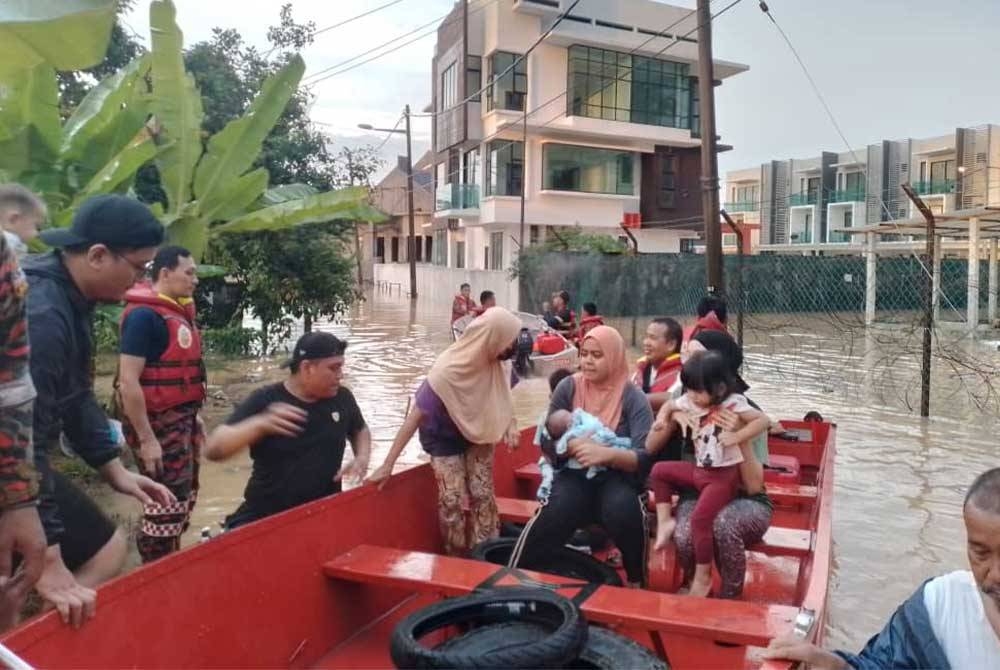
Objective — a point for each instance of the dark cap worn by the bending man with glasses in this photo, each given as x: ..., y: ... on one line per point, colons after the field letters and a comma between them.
x: 115, y: 221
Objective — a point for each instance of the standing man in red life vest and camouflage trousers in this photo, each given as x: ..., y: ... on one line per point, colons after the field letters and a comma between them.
x: 161, y: 387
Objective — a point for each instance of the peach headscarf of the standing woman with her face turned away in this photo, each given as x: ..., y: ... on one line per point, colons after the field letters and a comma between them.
x: 473, y: 383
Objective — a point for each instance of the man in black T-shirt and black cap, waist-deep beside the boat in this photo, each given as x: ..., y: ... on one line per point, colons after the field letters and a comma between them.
x: 297, y: 431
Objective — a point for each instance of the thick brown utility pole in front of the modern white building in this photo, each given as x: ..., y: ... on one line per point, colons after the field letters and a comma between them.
x: 709, y: 156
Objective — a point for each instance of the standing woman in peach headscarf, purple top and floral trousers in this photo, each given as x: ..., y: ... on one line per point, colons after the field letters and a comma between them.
x: 462, y: 410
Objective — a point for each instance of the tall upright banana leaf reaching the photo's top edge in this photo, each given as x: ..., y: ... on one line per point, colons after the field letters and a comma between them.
x: 176, y: 104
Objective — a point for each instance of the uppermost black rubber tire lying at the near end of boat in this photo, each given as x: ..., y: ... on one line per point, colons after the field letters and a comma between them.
x: 563, y: 630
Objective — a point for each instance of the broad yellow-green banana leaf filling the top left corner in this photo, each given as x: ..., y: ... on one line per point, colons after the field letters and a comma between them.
x: 67, y: 34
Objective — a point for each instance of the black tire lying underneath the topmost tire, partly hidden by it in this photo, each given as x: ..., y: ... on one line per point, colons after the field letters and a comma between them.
x: 604, y: 650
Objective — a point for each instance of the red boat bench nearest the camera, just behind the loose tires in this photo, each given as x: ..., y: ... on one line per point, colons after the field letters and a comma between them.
x: 730, y: 621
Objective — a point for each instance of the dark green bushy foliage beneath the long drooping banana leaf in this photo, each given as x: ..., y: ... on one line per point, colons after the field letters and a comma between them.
x: 302, y: 273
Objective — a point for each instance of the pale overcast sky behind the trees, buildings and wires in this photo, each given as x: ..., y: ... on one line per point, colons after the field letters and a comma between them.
x: 888, y: 68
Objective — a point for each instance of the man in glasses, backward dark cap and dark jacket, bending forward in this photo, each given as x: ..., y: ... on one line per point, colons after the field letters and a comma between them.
x: 98, y: 258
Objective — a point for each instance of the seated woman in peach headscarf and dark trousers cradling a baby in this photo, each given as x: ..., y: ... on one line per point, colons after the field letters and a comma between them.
x: 612, y: 497
